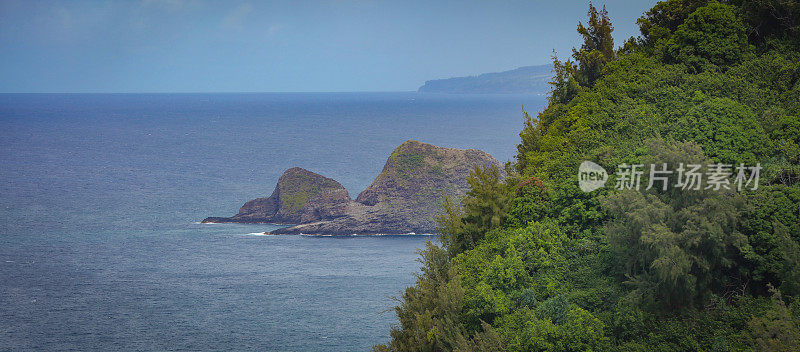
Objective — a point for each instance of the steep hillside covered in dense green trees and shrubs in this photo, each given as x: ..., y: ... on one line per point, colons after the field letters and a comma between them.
x: 532, y: 263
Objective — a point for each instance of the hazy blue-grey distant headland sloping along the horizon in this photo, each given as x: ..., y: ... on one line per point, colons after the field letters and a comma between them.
x: 524, y: 80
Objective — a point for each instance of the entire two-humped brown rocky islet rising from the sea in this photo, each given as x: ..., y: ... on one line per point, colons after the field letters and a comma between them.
x: 405, y: 197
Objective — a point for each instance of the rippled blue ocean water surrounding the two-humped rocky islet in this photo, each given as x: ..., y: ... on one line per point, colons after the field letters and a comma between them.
x: 101, y: 194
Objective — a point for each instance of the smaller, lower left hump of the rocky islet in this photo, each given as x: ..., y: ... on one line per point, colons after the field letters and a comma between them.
x: 300, y: 196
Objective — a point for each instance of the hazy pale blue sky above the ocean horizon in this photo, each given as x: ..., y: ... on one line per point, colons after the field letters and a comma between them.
x: 281, y: 46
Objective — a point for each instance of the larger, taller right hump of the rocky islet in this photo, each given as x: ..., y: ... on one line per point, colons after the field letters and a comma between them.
x: 407, y: 194
